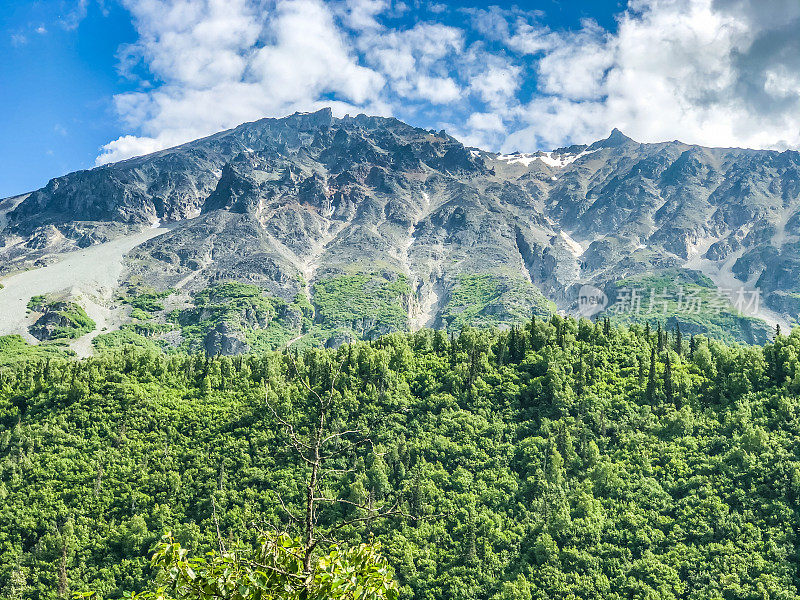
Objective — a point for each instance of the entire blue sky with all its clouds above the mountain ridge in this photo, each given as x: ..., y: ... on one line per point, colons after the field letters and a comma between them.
x: 86, y: 82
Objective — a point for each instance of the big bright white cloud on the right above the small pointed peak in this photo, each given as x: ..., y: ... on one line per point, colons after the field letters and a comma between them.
x: 672, y: 71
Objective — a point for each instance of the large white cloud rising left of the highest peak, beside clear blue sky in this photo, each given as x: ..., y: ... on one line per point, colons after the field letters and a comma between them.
x: 219, y: 63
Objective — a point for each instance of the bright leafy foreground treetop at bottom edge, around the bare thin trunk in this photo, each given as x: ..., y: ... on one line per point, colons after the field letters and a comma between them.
x: 270, y: 571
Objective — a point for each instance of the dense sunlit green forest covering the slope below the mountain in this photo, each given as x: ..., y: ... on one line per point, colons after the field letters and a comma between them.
x: 560, y: 459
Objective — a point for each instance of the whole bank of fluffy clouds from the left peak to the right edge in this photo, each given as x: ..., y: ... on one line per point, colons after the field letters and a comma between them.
x: 712, y: 72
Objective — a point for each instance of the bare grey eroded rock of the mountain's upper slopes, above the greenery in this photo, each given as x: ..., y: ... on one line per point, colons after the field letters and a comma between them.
x: 287, y: 203
